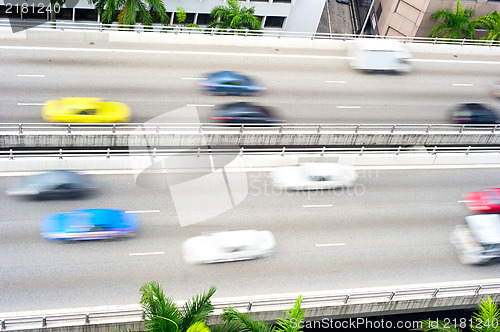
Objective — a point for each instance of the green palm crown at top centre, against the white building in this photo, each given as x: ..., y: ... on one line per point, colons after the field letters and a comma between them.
x: 233, y: 16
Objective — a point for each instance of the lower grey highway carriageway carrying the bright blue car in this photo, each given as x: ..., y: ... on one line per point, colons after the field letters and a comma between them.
x: 391, y: 229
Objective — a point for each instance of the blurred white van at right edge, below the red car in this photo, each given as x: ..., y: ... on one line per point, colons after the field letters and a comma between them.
x: 478, y: 241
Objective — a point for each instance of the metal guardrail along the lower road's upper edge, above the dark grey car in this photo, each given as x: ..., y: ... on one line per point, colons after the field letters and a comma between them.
x: 108, y: 153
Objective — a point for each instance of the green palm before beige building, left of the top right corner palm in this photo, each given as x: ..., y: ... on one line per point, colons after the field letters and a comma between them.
x: 456, y: 24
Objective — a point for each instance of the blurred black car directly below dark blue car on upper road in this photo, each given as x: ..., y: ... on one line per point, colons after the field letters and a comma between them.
x: 243, y: 112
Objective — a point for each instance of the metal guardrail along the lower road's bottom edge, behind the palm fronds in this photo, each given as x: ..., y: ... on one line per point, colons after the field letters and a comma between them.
x: 309, y: 300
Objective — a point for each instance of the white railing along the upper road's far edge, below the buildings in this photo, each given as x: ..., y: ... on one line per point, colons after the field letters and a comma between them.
x: 138, y: 28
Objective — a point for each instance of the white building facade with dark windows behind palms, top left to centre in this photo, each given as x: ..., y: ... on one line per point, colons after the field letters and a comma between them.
x: 288, y: 15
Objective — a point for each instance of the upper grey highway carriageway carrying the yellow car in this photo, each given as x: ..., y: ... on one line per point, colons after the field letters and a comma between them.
x: 304, y: 86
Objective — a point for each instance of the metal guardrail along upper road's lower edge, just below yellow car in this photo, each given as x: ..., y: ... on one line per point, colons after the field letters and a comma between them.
x: 289, y: 128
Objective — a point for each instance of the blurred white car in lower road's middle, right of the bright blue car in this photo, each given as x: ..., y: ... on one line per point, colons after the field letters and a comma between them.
x: 228, y: 246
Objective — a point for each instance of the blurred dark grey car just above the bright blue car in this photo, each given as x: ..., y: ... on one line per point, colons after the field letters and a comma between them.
x: 53, y: 185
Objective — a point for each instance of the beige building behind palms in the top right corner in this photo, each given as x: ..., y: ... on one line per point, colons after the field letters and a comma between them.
x: 410, y: 18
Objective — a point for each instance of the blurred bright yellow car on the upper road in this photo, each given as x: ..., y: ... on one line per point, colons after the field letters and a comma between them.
x: 85, y: 110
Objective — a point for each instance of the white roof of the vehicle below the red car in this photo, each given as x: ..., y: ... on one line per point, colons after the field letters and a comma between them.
x: 485, y: 227
